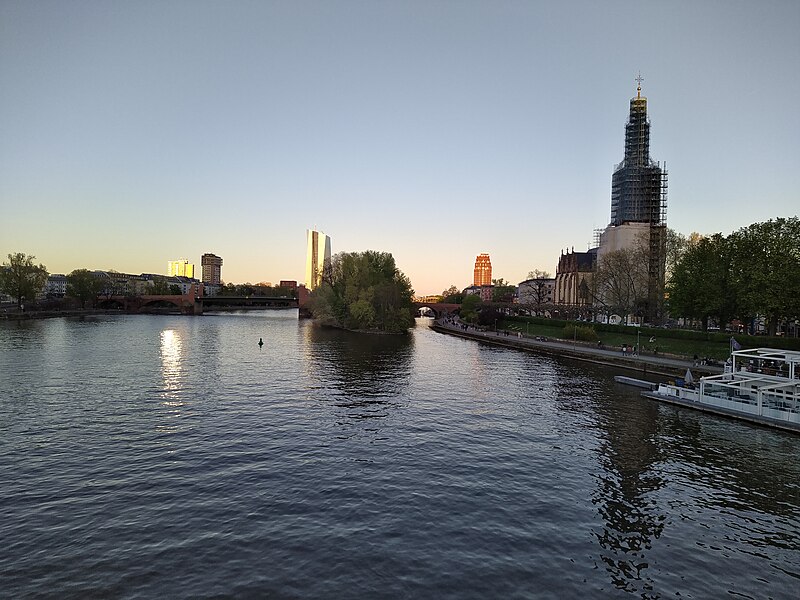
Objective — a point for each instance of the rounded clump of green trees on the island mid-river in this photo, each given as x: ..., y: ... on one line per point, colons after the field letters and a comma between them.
x: 364, y: 291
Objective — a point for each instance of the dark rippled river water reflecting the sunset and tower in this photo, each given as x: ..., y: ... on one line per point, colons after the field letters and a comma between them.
x: 168, y: 456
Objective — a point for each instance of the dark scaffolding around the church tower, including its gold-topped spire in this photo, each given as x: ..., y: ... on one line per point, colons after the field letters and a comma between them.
x: 639, y: 196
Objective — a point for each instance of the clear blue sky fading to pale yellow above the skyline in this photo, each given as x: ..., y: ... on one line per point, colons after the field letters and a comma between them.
x: 133, y: 133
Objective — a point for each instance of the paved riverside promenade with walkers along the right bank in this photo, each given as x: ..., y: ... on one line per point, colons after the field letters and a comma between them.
x: 664, y: 365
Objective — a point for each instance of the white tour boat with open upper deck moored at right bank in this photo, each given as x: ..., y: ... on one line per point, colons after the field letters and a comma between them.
x: 761, y: 385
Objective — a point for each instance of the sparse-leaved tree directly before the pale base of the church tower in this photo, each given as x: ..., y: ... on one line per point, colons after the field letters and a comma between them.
x: 620, y: 281
